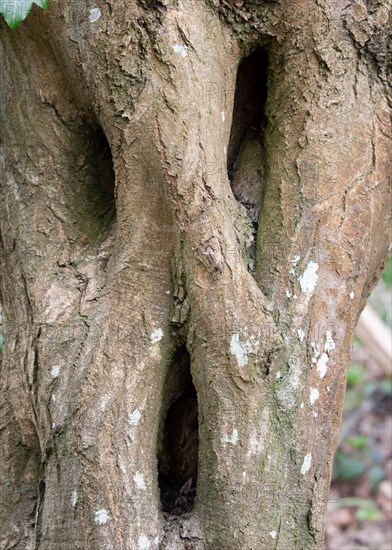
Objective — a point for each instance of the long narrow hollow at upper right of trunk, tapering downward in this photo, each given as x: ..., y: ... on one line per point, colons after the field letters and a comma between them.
x: 246, y: 150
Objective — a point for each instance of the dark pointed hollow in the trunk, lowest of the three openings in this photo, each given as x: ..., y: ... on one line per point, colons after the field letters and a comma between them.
x: 178, y: 441
